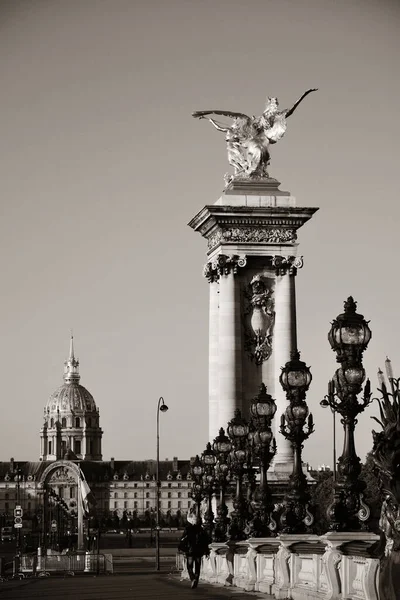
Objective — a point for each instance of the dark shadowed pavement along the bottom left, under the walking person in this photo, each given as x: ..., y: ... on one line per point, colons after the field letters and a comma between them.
x: 136, y: 586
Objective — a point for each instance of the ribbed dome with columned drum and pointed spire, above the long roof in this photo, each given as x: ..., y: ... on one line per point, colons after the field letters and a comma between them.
x: 71, y: 426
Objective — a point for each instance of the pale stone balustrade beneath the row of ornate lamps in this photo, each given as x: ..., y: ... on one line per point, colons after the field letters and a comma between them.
x: 334, y: 566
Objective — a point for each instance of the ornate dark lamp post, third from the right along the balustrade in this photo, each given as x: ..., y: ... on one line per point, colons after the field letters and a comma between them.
x: 262, y: 409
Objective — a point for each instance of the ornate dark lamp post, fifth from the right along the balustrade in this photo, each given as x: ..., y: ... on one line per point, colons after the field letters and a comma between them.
x: 222, y: 447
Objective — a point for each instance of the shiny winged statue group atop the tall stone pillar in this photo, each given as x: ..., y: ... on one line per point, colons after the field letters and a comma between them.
x: 248, y: 138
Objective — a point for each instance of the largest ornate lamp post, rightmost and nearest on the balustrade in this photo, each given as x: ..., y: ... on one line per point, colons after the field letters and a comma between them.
x: 349, y: 336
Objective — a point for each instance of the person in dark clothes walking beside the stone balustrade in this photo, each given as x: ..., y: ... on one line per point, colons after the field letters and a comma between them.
x: 194, y: 544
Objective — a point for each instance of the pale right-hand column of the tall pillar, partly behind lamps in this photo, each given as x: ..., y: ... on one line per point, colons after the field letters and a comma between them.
x: 284, y: 343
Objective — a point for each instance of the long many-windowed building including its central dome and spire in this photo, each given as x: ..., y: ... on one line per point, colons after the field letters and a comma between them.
x: 71, y: 453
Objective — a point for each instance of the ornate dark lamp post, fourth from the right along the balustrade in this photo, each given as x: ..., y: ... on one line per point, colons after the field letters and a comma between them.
x: 238, y: 431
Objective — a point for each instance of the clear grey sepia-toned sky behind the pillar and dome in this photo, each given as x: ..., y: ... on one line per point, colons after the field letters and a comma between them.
x: 102, y: 167
